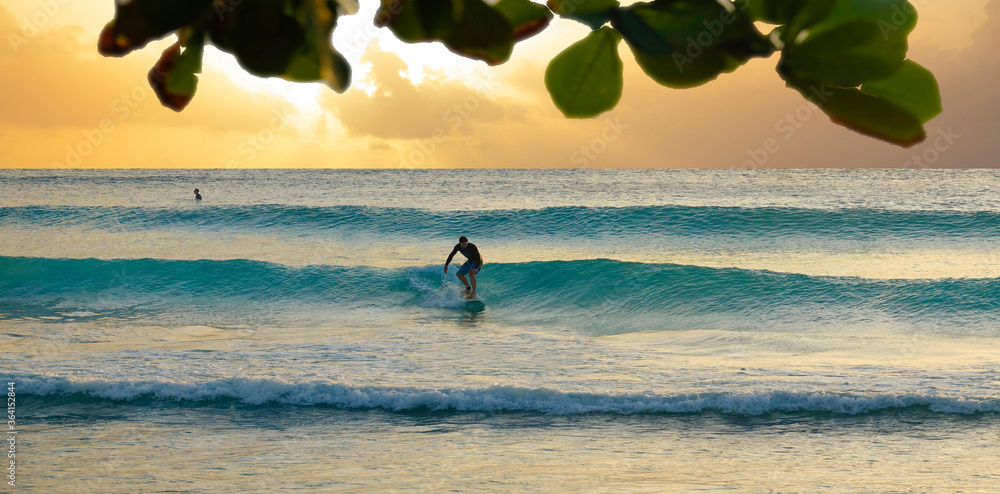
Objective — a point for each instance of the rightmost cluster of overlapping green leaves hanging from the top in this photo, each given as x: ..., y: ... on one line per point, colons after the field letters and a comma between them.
x: 851, y: 43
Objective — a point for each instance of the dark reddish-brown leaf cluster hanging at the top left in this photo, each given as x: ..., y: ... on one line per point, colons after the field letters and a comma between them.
x: 271, y: 38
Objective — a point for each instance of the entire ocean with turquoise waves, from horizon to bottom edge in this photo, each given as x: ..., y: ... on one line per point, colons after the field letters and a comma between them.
x: 640, y: 331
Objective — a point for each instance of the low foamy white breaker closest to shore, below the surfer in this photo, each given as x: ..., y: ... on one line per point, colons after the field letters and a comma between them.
x: 500, y: 398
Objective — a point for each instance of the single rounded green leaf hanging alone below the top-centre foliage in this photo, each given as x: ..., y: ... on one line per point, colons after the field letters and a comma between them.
x: 586, y: 79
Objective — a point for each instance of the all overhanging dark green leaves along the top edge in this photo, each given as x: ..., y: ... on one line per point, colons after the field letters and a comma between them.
x: 846, y: 56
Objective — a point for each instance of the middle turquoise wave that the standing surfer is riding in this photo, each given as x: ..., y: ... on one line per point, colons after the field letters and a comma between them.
x: 604, y: 295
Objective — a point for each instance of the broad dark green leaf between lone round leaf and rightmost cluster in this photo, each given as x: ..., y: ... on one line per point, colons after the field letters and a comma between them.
x: 688, y: 43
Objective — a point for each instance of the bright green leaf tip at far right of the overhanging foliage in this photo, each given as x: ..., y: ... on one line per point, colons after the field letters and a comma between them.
x: 912, y: 88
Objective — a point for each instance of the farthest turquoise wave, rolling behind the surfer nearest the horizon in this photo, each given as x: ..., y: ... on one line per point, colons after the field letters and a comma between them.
x: 524, y: 223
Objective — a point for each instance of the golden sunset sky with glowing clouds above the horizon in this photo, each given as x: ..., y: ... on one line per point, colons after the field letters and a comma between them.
x: 62, y: 105
